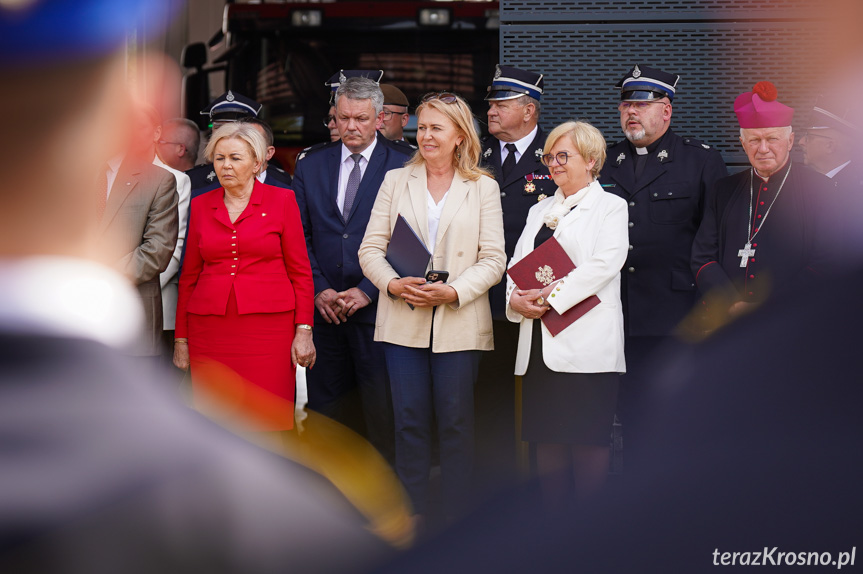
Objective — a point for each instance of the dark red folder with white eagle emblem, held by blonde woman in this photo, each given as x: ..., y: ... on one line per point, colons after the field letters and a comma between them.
x: 545, y: 264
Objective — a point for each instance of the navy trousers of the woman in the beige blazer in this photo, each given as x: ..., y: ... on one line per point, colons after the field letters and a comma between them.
x: 440, y: 385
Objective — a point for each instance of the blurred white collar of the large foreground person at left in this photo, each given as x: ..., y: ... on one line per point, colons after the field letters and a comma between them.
x: 69, y: 297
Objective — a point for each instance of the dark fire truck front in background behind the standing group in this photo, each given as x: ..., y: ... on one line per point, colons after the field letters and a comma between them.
x: 281, y: 55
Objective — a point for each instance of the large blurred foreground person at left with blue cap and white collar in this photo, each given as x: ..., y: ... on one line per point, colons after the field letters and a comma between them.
x: 103, y: 471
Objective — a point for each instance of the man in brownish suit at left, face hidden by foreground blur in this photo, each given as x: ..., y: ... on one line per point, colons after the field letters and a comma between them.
x: 139, y: 226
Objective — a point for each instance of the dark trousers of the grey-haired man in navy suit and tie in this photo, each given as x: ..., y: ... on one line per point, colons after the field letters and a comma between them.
x: 349, y: 378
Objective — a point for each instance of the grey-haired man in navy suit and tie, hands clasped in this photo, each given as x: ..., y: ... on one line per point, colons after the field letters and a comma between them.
x: 336, y: 185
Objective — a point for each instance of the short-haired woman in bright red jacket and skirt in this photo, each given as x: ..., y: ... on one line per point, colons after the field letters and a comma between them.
x: 246, y: 299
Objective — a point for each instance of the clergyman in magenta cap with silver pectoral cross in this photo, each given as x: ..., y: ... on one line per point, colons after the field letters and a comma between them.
x: 763, y: 228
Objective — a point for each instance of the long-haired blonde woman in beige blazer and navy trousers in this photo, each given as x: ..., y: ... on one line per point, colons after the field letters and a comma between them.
x: 433, y: 350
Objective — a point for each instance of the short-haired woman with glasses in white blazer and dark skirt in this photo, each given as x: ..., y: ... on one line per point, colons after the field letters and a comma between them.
x: 570, y: 381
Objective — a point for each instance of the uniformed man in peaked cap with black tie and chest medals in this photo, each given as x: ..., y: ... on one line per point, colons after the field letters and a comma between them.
x: 512, y: 153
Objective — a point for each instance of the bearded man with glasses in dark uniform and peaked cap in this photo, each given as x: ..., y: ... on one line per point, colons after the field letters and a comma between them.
x: 664, y: 178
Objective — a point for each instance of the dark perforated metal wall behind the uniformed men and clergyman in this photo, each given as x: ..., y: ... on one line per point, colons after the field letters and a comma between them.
x: 717, y: 60
